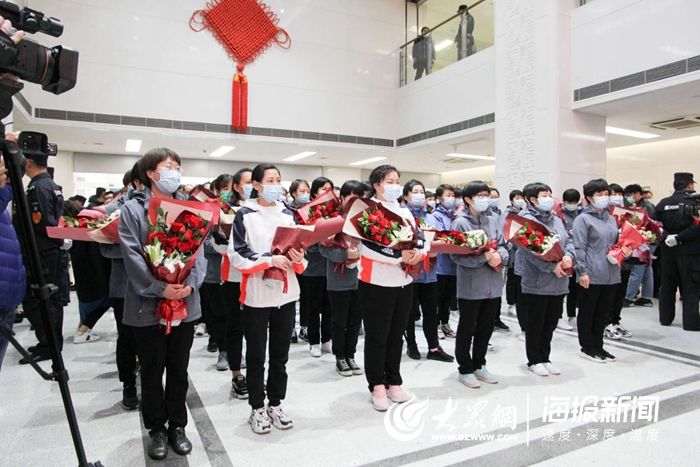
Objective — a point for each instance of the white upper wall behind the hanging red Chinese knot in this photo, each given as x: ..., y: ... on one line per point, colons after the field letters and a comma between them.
x: 141, y: 58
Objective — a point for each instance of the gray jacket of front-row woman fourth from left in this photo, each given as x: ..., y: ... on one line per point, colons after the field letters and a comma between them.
x: 476, y: 280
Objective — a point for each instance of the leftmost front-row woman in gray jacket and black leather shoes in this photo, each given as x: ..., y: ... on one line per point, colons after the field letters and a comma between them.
x: 160, y: 174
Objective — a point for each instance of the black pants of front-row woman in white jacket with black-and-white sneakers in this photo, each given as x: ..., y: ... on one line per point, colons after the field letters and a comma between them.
x: 280, y: 322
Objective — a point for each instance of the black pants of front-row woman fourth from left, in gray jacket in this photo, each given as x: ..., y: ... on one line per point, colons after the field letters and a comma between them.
x: 476, y: 319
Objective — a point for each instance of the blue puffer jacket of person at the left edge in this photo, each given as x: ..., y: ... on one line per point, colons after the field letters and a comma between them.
x: 12, y: 275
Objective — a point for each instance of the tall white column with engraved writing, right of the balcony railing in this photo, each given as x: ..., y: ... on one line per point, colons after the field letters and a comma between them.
x: 538, y: 136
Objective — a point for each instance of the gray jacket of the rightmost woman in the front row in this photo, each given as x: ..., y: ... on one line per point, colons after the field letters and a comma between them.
x: 594, y: 234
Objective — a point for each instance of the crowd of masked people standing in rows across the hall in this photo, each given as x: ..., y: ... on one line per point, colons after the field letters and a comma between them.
x: 251, y: 321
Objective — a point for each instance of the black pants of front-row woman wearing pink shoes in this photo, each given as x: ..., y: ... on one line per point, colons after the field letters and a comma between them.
x: 385, y: 313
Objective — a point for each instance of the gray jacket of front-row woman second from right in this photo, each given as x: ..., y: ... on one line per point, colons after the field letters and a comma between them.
x: 538, y: 276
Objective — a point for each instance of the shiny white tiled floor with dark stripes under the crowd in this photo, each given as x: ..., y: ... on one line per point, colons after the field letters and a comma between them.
x: 335, y: 424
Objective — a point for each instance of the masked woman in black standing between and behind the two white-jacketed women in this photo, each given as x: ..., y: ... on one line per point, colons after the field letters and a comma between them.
x: 314, y: 292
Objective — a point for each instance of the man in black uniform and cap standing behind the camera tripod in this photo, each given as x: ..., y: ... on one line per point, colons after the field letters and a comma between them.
x: 46, y: 208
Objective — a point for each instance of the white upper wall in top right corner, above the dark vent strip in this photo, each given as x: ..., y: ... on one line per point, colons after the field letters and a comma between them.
x: 615, y: 38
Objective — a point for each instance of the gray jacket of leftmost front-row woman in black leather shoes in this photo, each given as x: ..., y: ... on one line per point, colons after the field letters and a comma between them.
x: 143, y: 290
